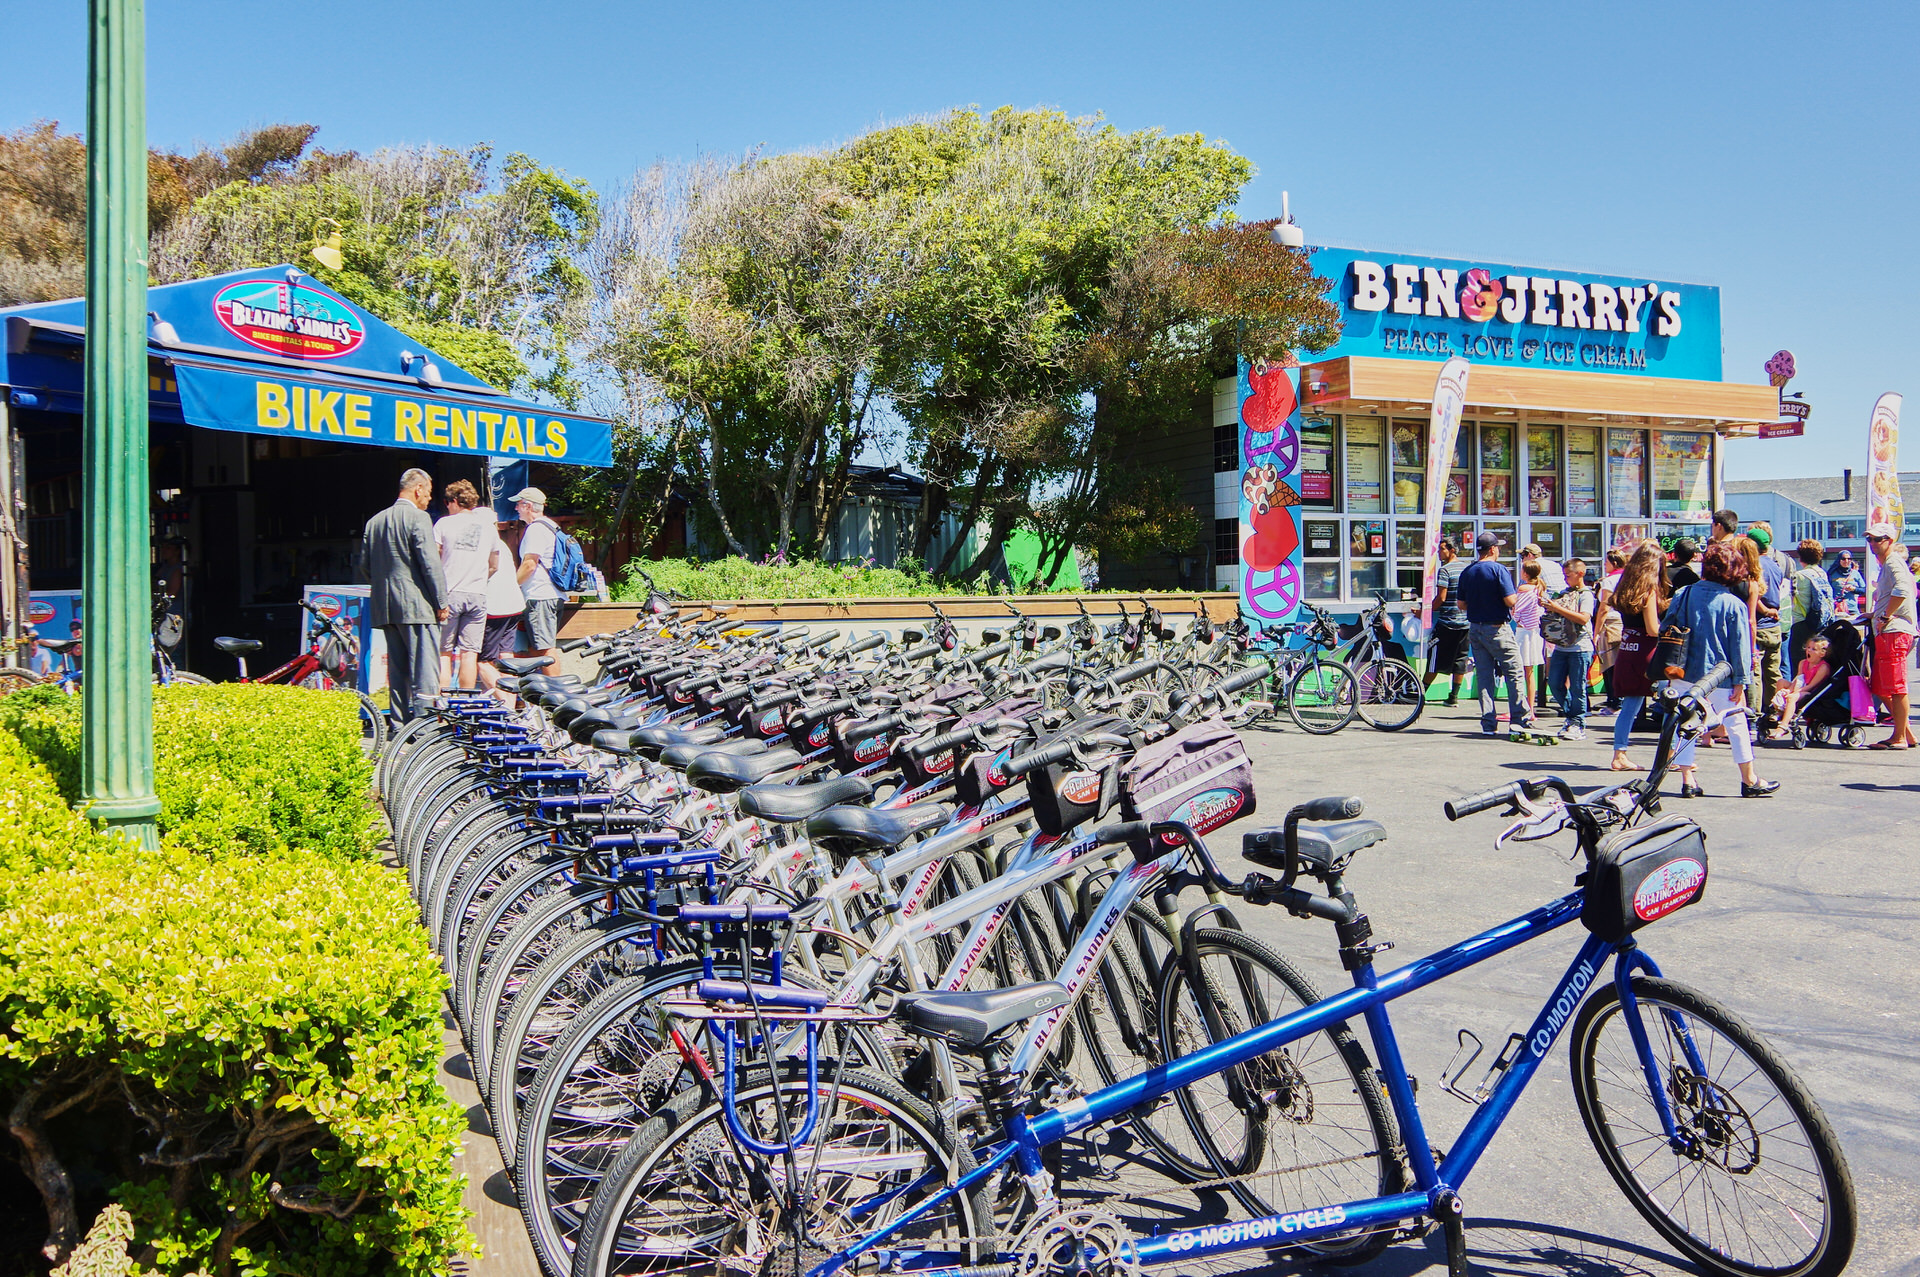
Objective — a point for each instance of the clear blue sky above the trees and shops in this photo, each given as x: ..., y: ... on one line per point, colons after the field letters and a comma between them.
x: 1767, y: 149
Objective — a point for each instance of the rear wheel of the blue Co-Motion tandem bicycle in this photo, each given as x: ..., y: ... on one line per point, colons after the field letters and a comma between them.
x: 684, y: 1195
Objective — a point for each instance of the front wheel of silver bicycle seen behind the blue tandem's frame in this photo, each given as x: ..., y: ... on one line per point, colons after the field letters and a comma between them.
x: 1301, y: 1126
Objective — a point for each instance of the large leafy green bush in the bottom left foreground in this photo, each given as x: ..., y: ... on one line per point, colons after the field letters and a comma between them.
x: 270, y: 1024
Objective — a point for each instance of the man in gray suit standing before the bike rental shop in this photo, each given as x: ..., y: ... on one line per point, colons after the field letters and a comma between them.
x: 410, y: 594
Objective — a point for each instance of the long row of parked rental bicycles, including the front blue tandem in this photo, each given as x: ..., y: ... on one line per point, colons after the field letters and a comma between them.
x: 794, y: 955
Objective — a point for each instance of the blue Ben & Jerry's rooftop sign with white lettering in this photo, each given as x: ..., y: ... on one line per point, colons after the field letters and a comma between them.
x: 1433, y: 308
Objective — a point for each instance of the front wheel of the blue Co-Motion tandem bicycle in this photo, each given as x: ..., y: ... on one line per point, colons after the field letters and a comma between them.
x: 1762, y: 1186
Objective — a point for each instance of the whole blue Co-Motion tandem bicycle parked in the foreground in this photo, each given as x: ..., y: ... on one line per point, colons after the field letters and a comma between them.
x: 819, y: 1170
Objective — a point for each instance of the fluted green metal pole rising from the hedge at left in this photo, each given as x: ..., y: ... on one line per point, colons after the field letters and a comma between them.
x: 118, y: 744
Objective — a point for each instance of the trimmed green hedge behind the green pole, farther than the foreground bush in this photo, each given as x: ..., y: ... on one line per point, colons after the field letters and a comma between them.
x: 239, y: 767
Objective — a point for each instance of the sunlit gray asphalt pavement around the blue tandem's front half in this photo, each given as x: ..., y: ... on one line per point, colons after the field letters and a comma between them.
x: 1808, y: 930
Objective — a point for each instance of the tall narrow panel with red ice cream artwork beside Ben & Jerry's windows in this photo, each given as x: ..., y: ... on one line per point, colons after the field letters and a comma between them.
x: 1270, y: 493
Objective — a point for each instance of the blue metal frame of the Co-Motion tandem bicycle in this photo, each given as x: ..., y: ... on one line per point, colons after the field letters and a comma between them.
x: 1368, y: 1000
